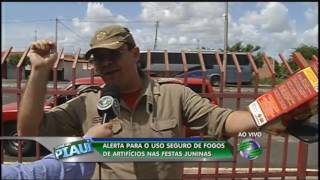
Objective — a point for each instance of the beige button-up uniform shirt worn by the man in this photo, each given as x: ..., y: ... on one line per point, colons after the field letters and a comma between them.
x: 161, y: 111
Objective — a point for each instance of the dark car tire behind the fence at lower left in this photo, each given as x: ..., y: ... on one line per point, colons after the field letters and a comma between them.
x: 11, y: 146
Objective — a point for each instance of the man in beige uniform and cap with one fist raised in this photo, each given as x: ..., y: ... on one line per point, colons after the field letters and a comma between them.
x: 149, y: 108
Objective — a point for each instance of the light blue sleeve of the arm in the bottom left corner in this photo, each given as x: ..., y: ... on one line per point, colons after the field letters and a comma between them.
x: 48, y: 168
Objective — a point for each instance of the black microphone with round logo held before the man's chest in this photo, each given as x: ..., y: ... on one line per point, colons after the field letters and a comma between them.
x: 108, y: 105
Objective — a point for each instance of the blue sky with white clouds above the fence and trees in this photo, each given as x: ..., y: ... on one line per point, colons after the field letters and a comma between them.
x: 277, y: 27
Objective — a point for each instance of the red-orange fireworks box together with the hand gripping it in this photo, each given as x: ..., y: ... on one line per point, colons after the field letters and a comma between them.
x: 294, y: 100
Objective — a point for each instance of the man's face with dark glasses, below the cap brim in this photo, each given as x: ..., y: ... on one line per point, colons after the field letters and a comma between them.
x: 116, y: 66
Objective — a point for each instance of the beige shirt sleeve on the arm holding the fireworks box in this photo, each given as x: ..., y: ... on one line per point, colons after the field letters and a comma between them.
x: 200, y: 113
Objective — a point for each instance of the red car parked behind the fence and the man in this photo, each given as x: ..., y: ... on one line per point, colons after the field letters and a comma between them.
x: 9, y: 111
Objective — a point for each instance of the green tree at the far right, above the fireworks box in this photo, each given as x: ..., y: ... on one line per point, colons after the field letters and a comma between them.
x: 306, y: 51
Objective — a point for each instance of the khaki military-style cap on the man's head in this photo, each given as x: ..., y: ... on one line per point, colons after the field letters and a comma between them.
x: 110, y: 37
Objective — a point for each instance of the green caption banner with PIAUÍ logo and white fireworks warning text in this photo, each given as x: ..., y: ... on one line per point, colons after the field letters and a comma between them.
x: 143, y: 149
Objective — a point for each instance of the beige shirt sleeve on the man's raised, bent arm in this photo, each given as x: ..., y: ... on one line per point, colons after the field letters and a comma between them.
x: 64, y: 120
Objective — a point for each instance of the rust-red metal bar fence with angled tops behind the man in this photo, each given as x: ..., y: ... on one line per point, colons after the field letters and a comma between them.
x: 218, y: 170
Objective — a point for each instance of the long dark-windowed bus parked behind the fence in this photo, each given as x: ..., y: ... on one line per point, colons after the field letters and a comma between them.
x: 158, y: 67
